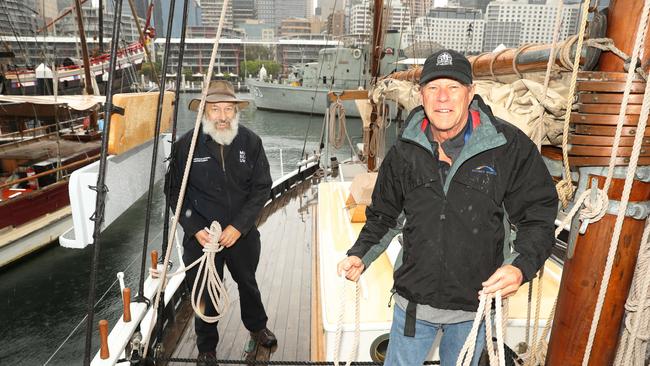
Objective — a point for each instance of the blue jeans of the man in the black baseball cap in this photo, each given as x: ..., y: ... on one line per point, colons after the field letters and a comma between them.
x: 410, y: 351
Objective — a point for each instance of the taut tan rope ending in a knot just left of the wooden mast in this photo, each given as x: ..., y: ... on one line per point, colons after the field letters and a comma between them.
x: 565, y: 187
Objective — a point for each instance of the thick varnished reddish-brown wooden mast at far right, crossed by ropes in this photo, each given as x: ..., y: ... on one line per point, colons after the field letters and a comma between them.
x: 582, y: 273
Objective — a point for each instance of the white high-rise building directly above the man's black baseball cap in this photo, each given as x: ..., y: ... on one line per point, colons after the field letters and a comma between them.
x: 456, y: 28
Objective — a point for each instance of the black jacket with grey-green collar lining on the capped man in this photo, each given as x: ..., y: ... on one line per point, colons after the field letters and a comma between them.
x: 454, y: 233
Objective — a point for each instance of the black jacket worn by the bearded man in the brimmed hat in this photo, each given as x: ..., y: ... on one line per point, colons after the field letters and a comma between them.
x: 227, y: 183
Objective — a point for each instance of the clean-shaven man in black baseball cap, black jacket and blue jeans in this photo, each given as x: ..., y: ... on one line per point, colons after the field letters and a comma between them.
x: 463, y: 178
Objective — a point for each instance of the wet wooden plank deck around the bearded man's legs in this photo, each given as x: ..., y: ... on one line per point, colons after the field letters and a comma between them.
x: 284, y: 277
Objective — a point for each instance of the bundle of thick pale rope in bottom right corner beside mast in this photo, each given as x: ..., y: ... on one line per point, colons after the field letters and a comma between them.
x: 633, y: 343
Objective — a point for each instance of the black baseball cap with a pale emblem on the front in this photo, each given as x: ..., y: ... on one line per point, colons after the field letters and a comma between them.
x: 446, y: 64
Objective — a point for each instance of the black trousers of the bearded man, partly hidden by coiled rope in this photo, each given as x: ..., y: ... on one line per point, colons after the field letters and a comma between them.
x: 242, y: 259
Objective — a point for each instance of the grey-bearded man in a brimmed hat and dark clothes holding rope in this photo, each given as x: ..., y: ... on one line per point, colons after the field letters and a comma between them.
x: 229, y: 182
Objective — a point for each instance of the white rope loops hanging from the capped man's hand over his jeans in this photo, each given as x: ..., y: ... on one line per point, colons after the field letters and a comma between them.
x: 497, y: 358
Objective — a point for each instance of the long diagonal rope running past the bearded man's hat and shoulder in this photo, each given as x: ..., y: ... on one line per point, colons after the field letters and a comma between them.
x: 186, y: 172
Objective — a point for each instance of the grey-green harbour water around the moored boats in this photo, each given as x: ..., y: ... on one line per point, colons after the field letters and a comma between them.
x: 43, y: 298
